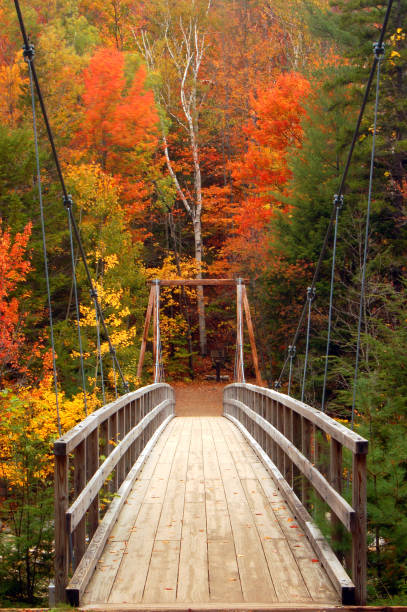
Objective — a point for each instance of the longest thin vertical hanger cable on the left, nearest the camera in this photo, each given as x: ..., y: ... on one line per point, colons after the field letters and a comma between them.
x: 29, y: 56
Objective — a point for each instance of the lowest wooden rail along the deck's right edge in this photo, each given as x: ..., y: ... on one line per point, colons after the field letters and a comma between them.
x: 341, y: 581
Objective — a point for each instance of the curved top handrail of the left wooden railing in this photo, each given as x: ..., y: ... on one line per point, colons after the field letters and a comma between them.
x: 66, y: 444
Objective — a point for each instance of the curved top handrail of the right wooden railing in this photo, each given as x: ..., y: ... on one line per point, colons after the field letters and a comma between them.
x: 342, y: 434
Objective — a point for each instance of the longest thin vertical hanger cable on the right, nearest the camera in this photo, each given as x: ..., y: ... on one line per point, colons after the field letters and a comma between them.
x: 378, y: 52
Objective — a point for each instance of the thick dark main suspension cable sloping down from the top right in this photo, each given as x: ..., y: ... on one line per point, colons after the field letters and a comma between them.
x: 342, y: 183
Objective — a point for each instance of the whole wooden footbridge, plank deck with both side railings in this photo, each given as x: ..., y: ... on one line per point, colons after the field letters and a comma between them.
x: 208, y: 512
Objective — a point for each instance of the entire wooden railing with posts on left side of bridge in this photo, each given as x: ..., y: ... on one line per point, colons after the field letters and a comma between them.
x: 105, y: 451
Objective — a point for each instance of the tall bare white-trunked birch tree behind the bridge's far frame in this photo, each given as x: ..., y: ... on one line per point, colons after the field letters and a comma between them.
x: 174, y: 43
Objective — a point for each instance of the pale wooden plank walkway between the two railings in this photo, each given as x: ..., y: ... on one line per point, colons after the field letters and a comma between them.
x: 205, y: 524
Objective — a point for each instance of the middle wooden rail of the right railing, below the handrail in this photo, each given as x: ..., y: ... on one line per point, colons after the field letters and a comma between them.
x: 339, y: 505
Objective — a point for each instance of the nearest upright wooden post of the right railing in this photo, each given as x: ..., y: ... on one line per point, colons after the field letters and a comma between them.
x: 359, y: 544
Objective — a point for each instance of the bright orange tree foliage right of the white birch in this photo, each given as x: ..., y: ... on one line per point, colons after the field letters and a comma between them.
x: 272, y: 132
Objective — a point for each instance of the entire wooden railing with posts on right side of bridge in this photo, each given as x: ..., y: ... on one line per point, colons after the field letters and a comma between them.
x: 304, y: 450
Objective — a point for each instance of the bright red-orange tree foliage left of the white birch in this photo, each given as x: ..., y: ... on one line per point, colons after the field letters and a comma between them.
x: 119, y: 130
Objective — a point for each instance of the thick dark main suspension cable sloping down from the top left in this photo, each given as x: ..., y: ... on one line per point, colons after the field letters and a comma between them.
x: 66, y: 196
